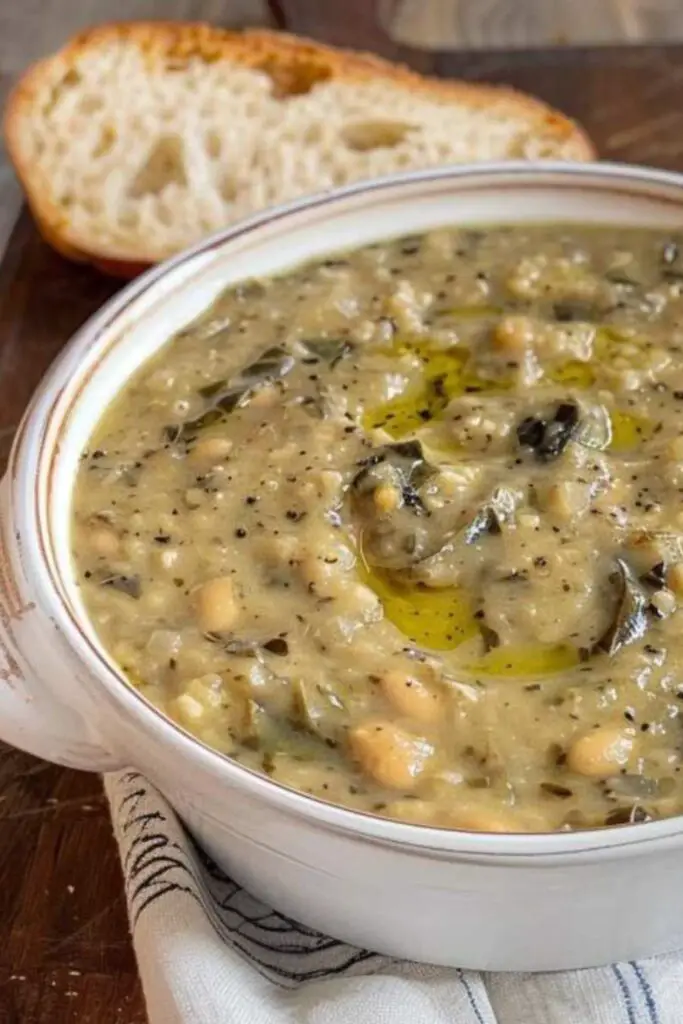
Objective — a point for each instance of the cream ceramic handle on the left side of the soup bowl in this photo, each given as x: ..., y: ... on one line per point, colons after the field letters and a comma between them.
x: 36, y: 663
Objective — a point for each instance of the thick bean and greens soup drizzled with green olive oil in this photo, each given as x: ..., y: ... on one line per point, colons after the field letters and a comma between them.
x: 403, y: 529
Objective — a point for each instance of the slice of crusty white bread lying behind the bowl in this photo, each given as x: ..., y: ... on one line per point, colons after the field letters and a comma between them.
x: 139, y: 139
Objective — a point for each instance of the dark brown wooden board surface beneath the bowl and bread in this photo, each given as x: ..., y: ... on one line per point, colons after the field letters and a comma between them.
x: 65, y: 950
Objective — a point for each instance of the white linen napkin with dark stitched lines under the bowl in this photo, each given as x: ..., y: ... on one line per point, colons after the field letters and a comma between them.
x: 211, y: 954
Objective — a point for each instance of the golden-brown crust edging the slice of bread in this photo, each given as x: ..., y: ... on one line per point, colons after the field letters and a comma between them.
x: 293, y: 63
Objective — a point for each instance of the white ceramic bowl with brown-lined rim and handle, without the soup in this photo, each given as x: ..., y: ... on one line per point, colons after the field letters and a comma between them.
x: 500, y: 903
